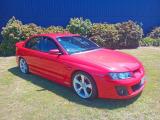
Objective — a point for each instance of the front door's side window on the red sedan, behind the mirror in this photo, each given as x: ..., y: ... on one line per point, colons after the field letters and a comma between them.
x: 47, y: 44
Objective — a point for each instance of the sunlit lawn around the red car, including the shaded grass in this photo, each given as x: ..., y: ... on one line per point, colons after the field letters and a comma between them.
x: 30, y: 97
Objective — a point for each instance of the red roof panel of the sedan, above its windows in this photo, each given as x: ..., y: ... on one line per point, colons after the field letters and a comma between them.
x: 55, y: 35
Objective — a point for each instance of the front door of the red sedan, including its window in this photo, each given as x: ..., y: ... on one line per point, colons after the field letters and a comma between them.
x: 51, y: 64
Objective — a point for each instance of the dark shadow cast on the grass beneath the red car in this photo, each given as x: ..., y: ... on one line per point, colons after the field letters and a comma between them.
x: 68, y: 93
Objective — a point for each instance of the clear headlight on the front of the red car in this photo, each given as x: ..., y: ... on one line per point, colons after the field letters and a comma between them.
x: 120, y: 75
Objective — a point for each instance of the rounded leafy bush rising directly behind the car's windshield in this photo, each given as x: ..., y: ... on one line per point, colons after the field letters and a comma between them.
x: 79, y: 26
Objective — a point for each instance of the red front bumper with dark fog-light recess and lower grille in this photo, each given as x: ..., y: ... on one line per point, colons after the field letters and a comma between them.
x: 124, y: 89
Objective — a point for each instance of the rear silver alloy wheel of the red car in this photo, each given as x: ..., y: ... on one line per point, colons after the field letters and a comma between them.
x: 23, y: 66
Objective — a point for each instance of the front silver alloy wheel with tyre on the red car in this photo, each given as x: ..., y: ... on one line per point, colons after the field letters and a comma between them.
x: 84, y: 85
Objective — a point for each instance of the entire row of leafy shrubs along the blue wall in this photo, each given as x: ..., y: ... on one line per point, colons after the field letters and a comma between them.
x: 120, y: 35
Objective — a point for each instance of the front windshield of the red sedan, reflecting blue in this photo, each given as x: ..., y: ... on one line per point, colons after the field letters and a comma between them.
x: 75, y: 44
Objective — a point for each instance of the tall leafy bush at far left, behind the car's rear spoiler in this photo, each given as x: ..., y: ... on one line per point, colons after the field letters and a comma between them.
x: 11, y: 34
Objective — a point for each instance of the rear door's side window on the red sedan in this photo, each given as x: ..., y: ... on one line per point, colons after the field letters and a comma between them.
x: 33, y: 43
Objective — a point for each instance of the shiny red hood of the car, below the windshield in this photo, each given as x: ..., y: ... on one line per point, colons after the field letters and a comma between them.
x: 110, y: 59
